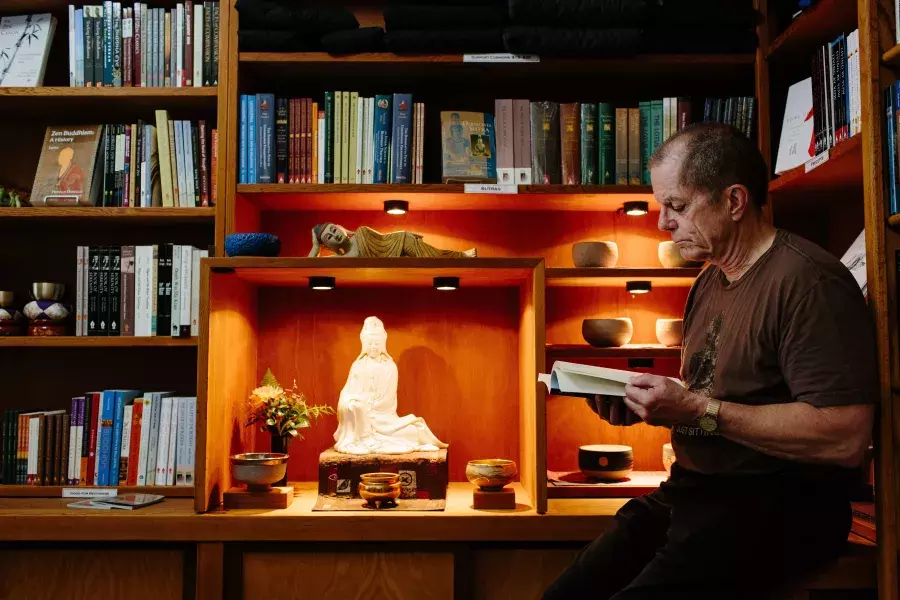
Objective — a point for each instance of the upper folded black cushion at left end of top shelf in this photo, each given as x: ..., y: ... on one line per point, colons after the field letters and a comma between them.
x: 274, y: 15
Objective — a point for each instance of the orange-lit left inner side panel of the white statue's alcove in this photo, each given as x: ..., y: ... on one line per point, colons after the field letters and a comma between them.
x: 227, y: 373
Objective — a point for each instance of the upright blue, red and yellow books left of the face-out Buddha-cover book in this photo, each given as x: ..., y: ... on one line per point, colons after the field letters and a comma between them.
x: 346, y: 139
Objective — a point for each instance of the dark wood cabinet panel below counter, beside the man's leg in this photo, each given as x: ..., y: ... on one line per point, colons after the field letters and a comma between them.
x: 517, y: 574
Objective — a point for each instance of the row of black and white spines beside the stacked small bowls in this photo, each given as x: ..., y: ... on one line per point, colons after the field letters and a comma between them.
x: 139, y: 291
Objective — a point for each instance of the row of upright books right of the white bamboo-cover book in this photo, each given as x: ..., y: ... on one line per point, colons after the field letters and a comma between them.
x: 112, y: 45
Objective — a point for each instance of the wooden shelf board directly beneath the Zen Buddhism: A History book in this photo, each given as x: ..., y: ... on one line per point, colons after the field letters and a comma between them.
x: 110, y: 215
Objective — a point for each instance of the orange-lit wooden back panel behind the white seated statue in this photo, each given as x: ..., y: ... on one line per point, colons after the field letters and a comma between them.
x: 456, y: 354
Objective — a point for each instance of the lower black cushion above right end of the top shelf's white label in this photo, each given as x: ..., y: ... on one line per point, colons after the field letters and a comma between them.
x: 547, y: 41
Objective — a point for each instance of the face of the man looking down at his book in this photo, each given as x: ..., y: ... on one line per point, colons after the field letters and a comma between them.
x: 698, y: 227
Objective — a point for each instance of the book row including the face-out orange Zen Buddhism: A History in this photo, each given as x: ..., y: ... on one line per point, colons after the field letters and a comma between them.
x: 172, y: 163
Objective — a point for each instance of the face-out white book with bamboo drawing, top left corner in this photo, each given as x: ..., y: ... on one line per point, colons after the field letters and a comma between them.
x: 25, y: 47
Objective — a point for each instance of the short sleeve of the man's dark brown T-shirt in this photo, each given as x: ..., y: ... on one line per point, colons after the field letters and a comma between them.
x: 827, y: 353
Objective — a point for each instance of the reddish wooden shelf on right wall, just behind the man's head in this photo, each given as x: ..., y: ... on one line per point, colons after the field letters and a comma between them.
x: 843, y: 169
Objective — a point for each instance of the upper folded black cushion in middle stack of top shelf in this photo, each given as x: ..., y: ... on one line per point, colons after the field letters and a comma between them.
x: 444, y: 17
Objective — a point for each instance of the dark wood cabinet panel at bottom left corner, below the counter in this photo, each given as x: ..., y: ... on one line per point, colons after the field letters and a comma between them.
x: 39, y: 574
